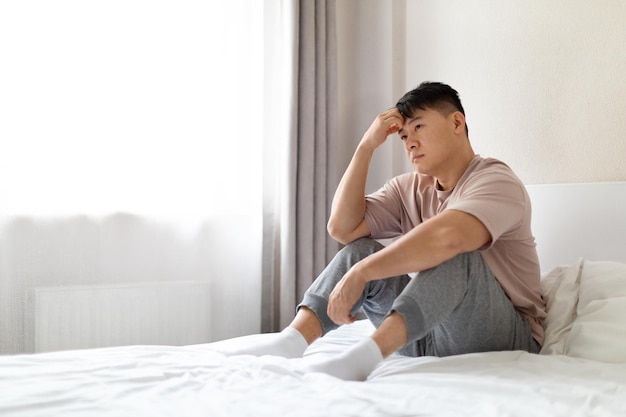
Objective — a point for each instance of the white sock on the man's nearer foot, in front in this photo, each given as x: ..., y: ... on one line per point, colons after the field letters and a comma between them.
x: 355, y: 364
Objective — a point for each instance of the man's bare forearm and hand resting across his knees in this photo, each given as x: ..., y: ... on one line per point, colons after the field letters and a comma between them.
x: 429, y: 244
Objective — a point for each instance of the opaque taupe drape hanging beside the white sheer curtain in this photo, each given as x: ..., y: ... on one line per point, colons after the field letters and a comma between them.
x: 317, y: 107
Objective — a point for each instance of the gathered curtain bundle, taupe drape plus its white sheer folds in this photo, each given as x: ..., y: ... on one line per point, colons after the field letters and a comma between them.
x: 301, y: 184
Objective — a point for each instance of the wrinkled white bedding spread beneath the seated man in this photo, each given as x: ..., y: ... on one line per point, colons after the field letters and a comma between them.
x: 196, y: 381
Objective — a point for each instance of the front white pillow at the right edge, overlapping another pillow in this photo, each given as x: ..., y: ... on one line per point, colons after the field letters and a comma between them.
x: 599, y: 331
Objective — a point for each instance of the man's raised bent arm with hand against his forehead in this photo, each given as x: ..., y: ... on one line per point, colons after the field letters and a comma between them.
x: 347, y: 217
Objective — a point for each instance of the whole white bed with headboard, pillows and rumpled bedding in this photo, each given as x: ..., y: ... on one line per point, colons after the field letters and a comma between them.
x: 581, y: 370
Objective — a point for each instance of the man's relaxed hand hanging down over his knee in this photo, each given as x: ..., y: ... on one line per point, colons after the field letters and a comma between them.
x: 343, y: 297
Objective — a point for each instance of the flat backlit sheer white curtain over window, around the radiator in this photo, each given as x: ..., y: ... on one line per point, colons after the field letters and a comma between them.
x: 147, y: 108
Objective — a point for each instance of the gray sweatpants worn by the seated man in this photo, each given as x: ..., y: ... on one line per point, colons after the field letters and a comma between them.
x: 456, y: 307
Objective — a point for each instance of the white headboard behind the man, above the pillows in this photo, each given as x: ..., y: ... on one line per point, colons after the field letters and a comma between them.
x: 572, y: 221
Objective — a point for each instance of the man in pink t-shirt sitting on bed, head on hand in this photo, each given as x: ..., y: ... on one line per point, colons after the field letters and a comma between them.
x: 461, y: 222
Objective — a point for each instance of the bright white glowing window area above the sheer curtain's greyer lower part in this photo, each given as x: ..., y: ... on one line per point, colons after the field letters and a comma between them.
x: 148, y: 107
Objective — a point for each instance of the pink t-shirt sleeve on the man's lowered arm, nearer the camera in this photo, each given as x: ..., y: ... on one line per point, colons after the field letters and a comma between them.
x: 497, y: 200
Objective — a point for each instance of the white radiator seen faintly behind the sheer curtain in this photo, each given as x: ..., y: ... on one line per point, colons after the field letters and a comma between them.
x: 164, y: 313
